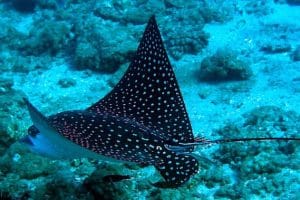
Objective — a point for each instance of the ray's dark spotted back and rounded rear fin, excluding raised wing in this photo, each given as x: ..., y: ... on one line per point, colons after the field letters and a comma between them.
x: 126, y: 140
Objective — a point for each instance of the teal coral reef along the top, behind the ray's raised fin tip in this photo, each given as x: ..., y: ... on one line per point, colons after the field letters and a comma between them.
x: 90, y: 45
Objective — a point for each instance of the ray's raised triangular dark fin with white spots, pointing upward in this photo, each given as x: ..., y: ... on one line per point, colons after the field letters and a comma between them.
x: 148, y: 92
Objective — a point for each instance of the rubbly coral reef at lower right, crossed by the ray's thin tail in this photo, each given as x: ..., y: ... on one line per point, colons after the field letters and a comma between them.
x: 261, y: 163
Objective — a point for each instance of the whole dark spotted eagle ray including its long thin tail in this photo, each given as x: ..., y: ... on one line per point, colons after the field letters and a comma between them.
x: 142, y: 120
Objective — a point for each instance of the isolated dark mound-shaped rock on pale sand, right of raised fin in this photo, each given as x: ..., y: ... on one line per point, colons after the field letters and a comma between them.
x: 224, y: 66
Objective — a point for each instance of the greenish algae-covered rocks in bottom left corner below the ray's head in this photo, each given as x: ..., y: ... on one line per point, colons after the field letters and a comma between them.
x: 25, y: 175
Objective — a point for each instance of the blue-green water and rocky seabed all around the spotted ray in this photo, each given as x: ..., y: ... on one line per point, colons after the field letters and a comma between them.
x: 237, y: 66
